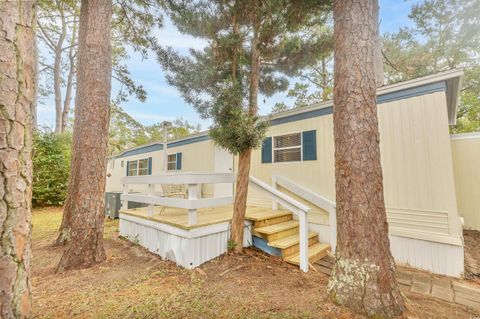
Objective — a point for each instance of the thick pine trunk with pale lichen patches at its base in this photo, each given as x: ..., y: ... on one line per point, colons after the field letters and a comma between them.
x: 364, y: 275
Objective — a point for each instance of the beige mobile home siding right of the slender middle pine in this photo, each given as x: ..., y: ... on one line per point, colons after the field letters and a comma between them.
x: 415, y: 154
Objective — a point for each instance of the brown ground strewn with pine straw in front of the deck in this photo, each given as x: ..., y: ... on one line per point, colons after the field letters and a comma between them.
x: 133, y: 283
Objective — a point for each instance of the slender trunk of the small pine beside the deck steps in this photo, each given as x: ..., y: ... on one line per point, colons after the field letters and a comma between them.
x: 241, y: 193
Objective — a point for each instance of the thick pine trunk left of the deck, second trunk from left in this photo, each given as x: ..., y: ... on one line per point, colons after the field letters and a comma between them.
x: 84, y: 205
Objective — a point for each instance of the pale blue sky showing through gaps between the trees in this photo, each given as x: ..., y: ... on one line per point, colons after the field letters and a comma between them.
x: 164, y: 103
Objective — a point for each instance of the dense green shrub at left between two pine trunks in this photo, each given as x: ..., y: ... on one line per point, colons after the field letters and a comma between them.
x: 51, y: 167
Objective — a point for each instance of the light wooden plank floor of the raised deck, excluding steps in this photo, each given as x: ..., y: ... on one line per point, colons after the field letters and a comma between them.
x: 178, y: 217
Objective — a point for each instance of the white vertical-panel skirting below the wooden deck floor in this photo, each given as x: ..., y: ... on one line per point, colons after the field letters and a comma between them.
x: 187, y: 248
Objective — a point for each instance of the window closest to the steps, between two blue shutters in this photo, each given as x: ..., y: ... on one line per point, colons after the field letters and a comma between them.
x: 287, y: 148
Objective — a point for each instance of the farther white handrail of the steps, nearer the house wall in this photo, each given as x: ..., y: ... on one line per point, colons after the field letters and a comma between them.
x: 312, y: 197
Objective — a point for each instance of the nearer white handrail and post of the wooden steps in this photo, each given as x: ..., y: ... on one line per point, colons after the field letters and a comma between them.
x: 297, y: 208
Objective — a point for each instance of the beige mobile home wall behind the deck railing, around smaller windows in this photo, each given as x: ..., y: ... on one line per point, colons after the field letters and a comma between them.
x: 197, y: 156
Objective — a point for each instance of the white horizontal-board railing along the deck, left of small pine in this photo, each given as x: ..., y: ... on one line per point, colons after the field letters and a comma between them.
x: 192, y: 203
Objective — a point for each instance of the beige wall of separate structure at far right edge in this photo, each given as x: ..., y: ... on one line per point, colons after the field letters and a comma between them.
x: 466, y: 164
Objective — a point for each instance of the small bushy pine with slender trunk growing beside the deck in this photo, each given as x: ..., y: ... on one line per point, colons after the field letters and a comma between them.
x: 252, y: 46
